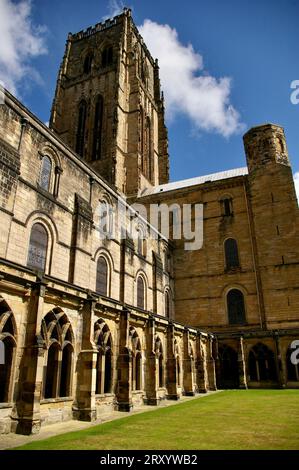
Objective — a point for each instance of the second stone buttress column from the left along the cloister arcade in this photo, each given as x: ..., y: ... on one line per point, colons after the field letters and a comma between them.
x: 84, y: 407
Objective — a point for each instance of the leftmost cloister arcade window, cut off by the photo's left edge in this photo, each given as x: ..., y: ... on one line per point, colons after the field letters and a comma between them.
x: 7, y: 350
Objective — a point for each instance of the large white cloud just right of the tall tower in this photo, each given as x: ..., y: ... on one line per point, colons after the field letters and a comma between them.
x: 188, y: 88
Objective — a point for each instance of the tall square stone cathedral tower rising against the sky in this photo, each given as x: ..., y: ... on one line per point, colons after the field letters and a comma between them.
x: 108, y: 105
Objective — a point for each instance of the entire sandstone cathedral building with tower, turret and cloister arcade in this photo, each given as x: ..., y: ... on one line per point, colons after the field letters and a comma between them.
x: 89, y: 323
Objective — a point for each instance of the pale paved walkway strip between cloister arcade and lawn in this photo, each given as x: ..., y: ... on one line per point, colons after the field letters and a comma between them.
x: 14, y: 440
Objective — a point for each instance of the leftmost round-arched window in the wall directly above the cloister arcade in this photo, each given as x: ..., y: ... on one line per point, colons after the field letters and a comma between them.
x: 38, y: 247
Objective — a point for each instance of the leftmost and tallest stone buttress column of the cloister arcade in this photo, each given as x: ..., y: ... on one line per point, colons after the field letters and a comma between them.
x: 26, y: 413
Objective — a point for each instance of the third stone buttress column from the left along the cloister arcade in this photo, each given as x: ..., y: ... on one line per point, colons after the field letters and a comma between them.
x: 124, y: 365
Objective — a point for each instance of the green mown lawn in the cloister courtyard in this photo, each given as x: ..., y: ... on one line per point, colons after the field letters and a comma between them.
x: 238, y: 419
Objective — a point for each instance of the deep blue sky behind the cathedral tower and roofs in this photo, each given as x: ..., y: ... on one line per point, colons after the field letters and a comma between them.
x: 253, y: 44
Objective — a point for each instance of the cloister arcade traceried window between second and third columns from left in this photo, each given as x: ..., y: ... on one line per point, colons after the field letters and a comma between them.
x: 104, y: 369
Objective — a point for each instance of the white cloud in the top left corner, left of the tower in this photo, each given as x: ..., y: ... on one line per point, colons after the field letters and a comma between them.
x: 20, y: 41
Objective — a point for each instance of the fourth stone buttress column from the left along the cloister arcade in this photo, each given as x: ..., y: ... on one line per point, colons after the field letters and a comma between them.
x: 151, y: 386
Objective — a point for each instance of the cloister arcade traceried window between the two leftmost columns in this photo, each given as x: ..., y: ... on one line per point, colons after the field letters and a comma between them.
x: 58, y: 336
